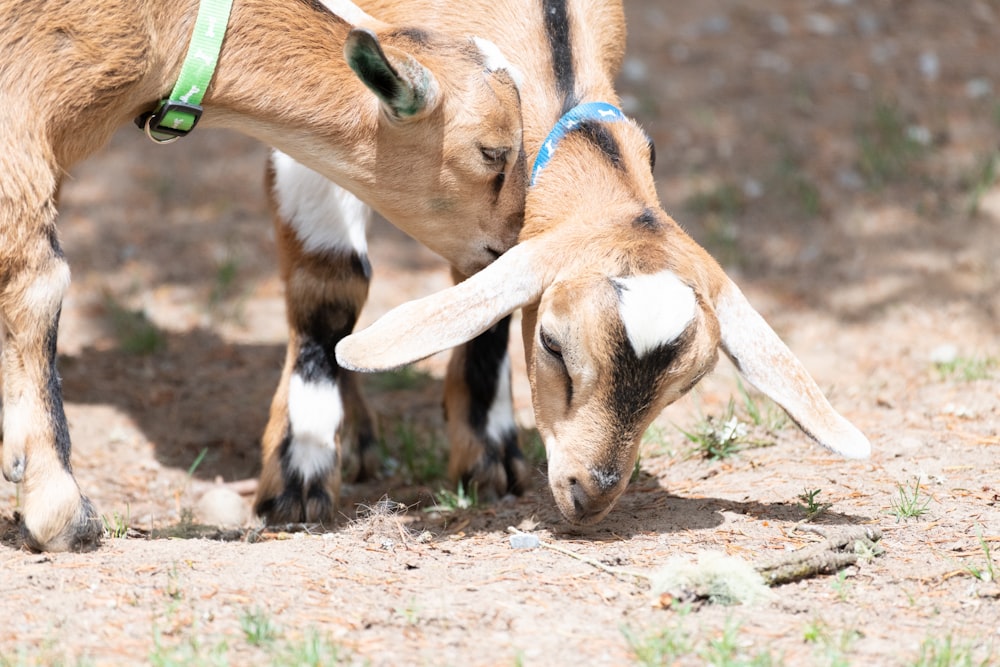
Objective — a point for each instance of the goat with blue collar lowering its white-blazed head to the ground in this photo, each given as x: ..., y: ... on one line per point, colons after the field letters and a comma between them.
x: 622, y: 311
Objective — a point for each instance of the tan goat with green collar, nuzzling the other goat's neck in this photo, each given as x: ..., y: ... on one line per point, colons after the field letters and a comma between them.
x: 436, y: 149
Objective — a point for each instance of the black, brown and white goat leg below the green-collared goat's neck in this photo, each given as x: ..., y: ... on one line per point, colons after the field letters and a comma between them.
x: 319, y: 423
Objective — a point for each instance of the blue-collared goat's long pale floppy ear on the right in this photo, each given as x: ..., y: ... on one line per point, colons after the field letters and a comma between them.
x: 769, y: 365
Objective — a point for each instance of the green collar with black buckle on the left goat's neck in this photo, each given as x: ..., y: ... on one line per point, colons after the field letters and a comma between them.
x: 177, y: 115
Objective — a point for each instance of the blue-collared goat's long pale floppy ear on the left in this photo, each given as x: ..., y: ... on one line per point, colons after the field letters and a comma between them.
x: 448, y: 318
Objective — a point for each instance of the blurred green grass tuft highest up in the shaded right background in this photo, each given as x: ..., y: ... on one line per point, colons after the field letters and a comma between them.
x: 888, y: 146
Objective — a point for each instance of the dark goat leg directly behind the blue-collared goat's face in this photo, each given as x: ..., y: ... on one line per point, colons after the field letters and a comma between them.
x: 479, y: 411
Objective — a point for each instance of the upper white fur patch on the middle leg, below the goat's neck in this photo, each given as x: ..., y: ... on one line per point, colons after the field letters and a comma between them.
x: 323, y: 215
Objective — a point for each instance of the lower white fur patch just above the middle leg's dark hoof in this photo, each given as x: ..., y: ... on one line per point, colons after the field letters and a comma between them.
x: 315, y: 411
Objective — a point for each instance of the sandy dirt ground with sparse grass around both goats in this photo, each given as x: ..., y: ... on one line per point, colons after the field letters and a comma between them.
x: 840, y: 157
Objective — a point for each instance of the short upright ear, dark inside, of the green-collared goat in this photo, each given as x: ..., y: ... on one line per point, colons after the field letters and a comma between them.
x: 405, y: 87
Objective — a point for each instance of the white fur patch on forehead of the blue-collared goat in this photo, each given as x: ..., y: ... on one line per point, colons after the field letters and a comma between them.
x: 655, y: 309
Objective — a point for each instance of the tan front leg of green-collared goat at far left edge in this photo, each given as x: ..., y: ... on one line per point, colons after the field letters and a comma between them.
x: 34, y: 276
